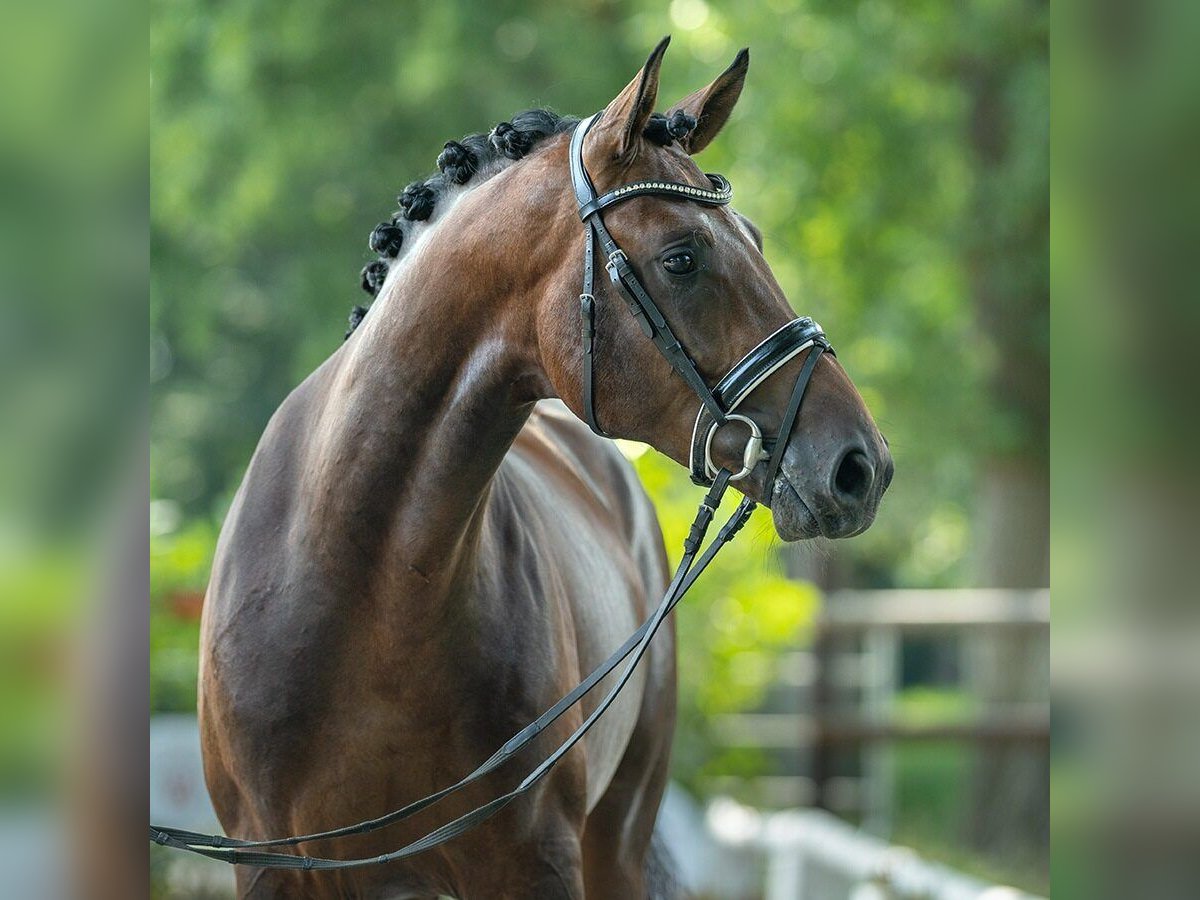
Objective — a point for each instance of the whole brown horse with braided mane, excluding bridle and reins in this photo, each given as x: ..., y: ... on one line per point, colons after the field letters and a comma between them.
x: 429, y: 547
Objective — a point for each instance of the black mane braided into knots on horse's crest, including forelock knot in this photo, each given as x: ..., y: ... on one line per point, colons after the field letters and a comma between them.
x: 465, y: 164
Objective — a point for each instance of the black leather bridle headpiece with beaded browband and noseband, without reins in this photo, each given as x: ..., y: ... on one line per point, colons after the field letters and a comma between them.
x: 718, y: 405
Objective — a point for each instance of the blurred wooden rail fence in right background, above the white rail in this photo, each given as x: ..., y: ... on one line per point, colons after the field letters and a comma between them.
x: 836, y: 717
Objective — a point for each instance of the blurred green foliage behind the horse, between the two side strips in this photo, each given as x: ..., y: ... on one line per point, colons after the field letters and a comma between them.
x: 895, y: 155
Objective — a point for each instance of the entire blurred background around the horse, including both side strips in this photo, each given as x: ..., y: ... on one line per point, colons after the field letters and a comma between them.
x: 891, y: 151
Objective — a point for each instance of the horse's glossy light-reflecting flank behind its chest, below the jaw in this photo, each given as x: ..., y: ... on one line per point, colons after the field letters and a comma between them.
x: 598, y: 530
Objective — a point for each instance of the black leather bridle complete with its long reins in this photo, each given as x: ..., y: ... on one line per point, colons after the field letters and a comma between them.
x: 718, y: 406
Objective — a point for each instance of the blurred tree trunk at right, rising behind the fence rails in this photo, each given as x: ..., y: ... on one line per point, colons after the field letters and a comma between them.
x: 1003, y: 63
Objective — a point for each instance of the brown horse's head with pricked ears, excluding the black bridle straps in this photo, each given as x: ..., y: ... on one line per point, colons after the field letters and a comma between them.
x: 705, y: 269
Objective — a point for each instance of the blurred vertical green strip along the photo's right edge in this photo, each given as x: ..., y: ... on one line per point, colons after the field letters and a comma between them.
x: 1126, y: 322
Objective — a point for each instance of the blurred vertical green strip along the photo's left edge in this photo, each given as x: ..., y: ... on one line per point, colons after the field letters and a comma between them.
x: 74, y: 213
